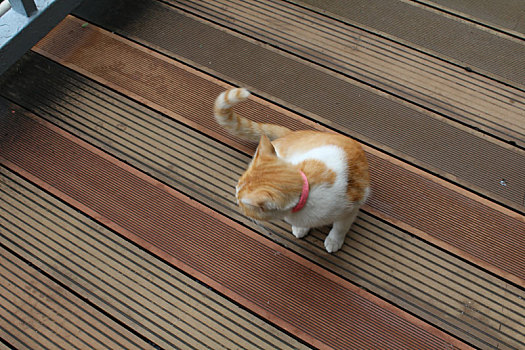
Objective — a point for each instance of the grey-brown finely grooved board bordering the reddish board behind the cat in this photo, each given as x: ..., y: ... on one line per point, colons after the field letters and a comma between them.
x: 337, y: 101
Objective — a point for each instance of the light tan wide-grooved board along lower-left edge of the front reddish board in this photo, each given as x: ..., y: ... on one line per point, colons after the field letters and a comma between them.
x: 162, y: 304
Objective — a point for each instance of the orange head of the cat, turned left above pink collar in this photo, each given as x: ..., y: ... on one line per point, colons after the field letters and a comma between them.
x: 270, y: 187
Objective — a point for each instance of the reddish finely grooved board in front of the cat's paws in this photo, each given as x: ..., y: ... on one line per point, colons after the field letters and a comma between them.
x: 320, y: 307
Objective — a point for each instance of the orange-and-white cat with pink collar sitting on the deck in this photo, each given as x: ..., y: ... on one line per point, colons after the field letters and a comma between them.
x: 308, y: 178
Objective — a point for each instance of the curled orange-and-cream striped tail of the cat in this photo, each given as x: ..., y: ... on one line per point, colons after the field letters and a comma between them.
x: 240, y: 126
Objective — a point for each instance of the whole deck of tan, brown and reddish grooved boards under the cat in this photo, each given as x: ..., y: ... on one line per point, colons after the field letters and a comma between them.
x: 118, y: 224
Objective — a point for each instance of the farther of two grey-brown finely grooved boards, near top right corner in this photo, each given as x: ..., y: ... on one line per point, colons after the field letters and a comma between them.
x: 454, y: 39
